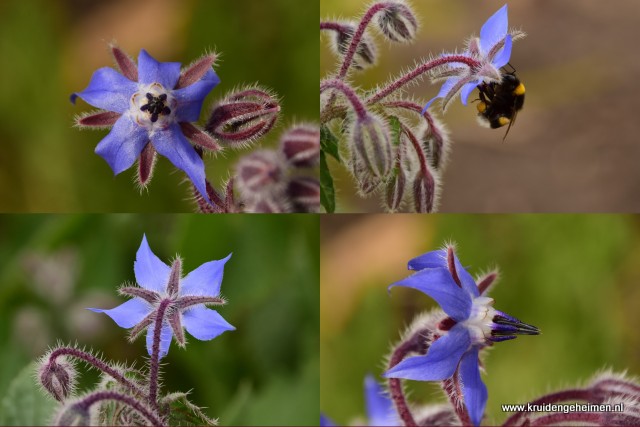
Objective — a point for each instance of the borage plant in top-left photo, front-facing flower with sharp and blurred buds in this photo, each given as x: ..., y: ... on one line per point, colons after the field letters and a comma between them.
x: 153, y: 108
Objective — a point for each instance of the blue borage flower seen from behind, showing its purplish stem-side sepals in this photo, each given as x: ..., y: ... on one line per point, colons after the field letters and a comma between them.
x: 178, y: 301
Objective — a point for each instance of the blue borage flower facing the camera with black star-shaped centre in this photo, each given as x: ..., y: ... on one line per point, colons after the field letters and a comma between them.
x: 152, y: 105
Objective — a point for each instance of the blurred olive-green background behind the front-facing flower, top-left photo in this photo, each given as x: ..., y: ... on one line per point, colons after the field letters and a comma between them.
x: 50, y: 49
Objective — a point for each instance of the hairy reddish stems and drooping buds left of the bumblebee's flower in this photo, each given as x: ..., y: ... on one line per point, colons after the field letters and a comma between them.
x: 373, y: 156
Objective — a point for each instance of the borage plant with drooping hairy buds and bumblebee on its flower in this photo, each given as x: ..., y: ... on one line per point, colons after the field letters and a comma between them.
x: 391, y: 143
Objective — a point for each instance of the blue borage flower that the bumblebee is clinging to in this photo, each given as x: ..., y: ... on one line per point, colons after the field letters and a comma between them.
x: 492, y: 50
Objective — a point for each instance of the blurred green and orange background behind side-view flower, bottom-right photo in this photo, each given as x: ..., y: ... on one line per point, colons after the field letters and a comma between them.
x: 574, y: 276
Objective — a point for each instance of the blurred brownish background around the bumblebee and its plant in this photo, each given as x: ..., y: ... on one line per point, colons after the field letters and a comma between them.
x: 574, y: 147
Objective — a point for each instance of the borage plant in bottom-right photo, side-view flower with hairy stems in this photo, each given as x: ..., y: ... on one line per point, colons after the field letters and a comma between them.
x: 446, y: 345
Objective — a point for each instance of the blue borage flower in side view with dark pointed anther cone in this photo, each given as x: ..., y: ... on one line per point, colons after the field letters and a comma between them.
x: 472, y: 325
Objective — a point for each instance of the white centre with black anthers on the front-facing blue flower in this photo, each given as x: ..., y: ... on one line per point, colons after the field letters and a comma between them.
x: 153, y: 107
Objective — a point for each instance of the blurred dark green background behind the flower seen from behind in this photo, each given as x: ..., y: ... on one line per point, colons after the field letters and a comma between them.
x: 263, y: 373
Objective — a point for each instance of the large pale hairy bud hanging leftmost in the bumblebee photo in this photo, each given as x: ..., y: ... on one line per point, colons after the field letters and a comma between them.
x: 371, y: 146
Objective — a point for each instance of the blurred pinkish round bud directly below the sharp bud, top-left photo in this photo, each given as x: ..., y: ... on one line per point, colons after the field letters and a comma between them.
x: 260, y: 173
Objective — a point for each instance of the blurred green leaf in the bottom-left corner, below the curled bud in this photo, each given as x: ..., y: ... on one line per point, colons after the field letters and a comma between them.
x: 25, y: 404
